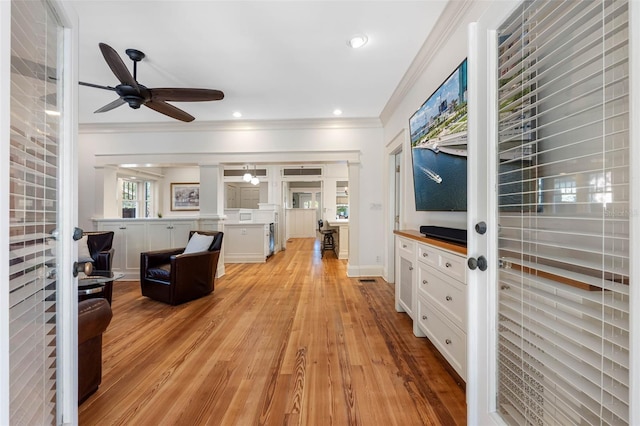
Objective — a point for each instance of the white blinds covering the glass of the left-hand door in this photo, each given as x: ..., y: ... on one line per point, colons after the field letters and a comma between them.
x: 33, y: 167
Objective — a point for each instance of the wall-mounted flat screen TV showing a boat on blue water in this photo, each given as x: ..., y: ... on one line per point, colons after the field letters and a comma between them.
x: 439, y: 146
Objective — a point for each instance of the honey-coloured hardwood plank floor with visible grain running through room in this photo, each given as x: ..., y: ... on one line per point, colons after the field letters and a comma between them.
x: 291, y: 341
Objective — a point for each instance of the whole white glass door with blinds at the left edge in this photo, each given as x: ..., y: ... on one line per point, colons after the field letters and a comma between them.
x: 39, y: 182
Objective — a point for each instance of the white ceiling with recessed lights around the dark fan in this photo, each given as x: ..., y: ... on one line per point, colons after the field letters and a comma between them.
x: 274, y: 60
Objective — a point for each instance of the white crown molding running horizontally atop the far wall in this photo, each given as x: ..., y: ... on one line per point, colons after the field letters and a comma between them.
x: 231, y: 125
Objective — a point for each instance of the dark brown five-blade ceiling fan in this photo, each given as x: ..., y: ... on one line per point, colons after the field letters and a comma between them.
x: 135, y: 94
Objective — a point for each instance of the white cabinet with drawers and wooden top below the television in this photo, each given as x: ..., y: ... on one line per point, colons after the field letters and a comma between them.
x: 438, y: 294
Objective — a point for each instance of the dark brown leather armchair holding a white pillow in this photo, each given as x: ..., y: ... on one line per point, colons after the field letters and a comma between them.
x: 173, y: 277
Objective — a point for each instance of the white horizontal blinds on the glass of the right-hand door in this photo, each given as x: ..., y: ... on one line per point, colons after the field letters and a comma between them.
x: 563, y: 314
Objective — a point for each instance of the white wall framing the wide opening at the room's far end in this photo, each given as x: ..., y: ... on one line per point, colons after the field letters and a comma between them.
x: 356, y: 141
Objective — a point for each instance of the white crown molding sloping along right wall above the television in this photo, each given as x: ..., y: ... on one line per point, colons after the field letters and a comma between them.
x: 446, y: 24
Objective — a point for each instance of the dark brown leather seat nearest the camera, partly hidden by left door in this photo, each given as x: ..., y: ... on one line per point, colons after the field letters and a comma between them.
x: 94, y: 315
